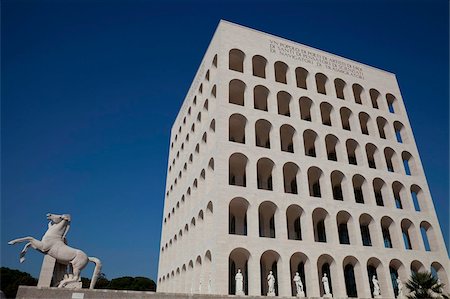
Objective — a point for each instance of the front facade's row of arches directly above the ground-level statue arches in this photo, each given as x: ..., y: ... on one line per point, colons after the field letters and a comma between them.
x: 321, y: 226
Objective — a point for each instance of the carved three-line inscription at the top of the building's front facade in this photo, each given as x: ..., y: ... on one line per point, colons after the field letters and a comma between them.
x: 311, y: 57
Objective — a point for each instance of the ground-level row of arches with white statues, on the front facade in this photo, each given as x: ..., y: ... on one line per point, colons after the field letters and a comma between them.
x: 347, y: 277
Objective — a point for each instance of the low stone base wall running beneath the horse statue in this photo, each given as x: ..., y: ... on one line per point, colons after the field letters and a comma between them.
x: 26, y: 292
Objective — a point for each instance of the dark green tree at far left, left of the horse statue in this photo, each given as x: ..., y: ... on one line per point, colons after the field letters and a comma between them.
x: 11, y: 279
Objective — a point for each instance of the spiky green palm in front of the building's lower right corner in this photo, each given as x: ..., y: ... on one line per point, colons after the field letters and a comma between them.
x: 425, y: 285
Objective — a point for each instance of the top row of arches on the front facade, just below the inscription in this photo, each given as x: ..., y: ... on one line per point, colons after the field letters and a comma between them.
x: 323, y: 85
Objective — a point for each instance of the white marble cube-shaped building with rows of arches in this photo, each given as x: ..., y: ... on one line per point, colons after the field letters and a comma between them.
x: 287, y: 158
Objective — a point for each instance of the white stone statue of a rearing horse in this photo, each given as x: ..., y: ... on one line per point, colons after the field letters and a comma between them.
x: 54, y: 244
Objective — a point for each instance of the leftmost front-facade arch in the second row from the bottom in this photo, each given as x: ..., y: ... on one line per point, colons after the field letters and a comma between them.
x: 237, y: 216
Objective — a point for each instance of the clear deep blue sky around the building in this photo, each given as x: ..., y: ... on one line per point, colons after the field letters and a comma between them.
x: 90, y: 90
